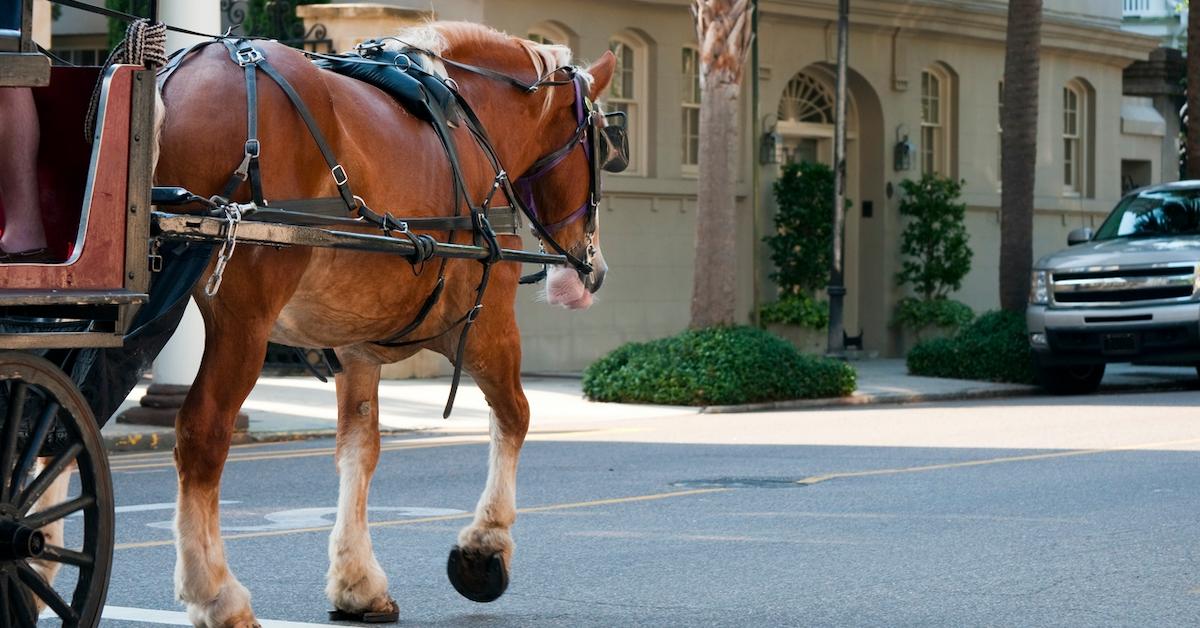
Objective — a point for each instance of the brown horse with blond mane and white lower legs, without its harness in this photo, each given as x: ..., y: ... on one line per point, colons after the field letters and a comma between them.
x: 346, y: 301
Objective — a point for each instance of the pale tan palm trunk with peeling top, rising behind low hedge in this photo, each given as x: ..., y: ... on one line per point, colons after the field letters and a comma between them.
x: 723, y: 29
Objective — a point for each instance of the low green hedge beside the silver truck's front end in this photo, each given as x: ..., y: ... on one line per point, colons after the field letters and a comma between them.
x: 994, y: 348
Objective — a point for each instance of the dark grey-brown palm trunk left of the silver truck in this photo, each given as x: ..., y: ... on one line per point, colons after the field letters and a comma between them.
x: 1019, y: 152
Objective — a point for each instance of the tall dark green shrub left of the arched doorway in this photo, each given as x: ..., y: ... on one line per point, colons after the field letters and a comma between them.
x: 803, y: 240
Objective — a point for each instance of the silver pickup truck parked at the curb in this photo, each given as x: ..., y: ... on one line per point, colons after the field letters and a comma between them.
x: 1127, y: 294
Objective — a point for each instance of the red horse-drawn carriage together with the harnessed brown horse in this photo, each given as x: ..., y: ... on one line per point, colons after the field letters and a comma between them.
x: 76, y: 333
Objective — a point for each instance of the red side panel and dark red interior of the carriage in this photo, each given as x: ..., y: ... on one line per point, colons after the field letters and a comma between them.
x: 82, y: 186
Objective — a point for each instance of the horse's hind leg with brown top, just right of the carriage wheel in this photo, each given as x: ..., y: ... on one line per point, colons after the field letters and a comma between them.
x: 233, y: 356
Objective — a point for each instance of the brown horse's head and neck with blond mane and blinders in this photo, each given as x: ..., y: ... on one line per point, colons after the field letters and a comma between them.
x: 550, y: 131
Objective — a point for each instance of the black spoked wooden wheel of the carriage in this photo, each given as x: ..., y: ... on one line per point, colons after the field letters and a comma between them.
x: 47, y: 433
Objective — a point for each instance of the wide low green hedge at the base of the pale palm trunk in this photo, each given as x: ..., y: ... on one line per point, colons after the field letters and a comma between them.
x: 716, y: 367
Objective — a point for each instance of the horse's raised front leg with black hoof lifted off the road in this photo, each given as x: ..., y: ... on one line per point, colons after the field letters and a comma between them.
x: 479, y: 566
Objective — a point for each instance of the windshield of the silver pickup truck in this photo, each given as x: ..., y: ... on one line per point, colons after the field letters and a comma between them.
x: 1154, y: 214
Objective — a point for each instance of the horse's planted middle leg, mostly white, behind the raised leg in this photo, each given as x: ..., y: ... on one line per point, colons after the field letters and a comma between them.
x: 356, y: 583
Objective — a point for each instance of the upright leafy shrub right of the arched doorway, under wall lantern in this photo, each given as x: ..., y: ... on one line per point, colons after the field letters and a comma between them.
x: 935, y: 237
